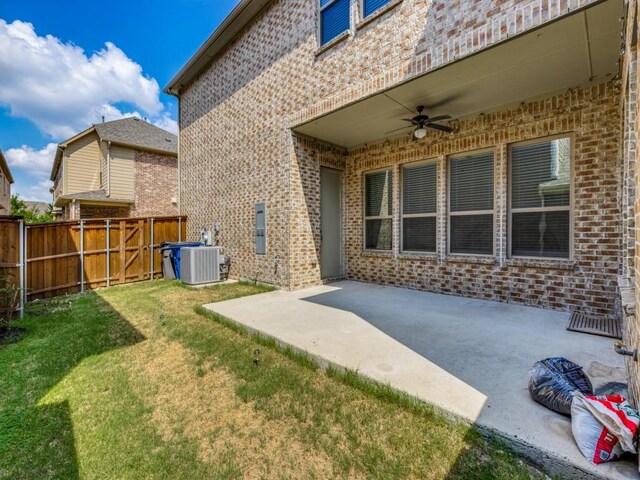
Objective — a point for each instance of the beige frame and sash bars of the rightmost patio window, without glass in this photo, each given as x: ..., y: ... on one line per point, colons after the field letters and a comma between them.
x: 572, y: 145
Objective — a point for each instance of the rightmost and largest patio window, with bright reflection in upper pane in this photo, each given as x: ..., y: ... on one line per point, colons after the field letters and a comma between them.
x: 541, y: 199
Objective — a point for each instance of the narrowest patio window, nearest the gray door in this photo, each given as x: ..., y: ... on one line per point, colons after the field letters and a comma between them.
x: 378, y: 193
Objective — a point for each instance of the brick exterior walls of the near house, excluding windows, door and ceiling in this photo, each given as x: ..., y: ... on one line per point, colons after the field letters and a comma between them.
x: 237, y: 148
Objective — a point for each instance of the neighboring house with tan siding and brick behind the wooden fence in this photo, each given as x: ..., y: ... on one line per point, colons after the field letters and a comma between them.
x: 123, y: 168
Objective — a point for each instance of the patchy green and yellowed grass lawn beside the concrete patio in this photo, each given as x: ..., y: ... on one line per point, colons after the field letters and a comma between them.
x: 131, y: 382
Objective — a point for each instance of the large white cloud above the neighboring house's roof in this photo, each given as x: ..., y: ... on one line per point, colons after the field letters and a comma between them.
x: 62, y: 90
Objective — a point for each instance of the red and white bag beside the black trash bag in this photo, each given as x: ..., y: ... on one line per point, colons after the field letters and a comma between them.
x: 603, y: 427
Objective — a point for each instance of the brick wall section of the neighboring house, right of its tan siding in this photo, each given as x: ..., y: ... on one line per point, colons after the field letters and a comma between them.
x: 155, y: 184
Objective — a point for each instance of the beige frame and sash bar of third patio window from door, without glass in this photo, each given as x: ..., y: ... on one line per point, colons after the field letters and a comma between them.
x: 494, y: 211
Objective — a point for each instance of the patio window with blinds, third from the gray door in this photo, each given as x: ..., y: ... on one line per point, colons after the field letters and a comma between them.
x: 471, y: 204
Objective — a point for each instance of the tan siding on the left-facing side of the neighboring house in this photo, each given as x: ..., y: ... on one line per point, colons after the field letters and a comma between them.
x: 82, y: 165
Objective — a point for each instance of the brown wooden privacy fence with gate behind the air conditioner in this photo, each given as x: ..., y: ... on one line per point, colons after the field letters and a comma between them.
x: 50, y: 259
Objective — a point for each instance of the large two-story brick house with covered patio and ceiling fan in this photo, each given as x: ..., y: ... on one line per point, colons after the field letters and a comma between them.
x: 292, y: 141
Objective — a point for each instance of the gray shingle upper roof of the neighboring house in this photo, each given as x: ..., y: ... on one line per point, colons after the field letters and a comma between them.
x: 136, y: 132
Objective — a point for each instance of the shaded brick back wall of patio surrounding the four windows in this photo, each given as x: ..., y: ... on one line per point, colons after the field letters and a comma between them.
x: 588, y: 283
